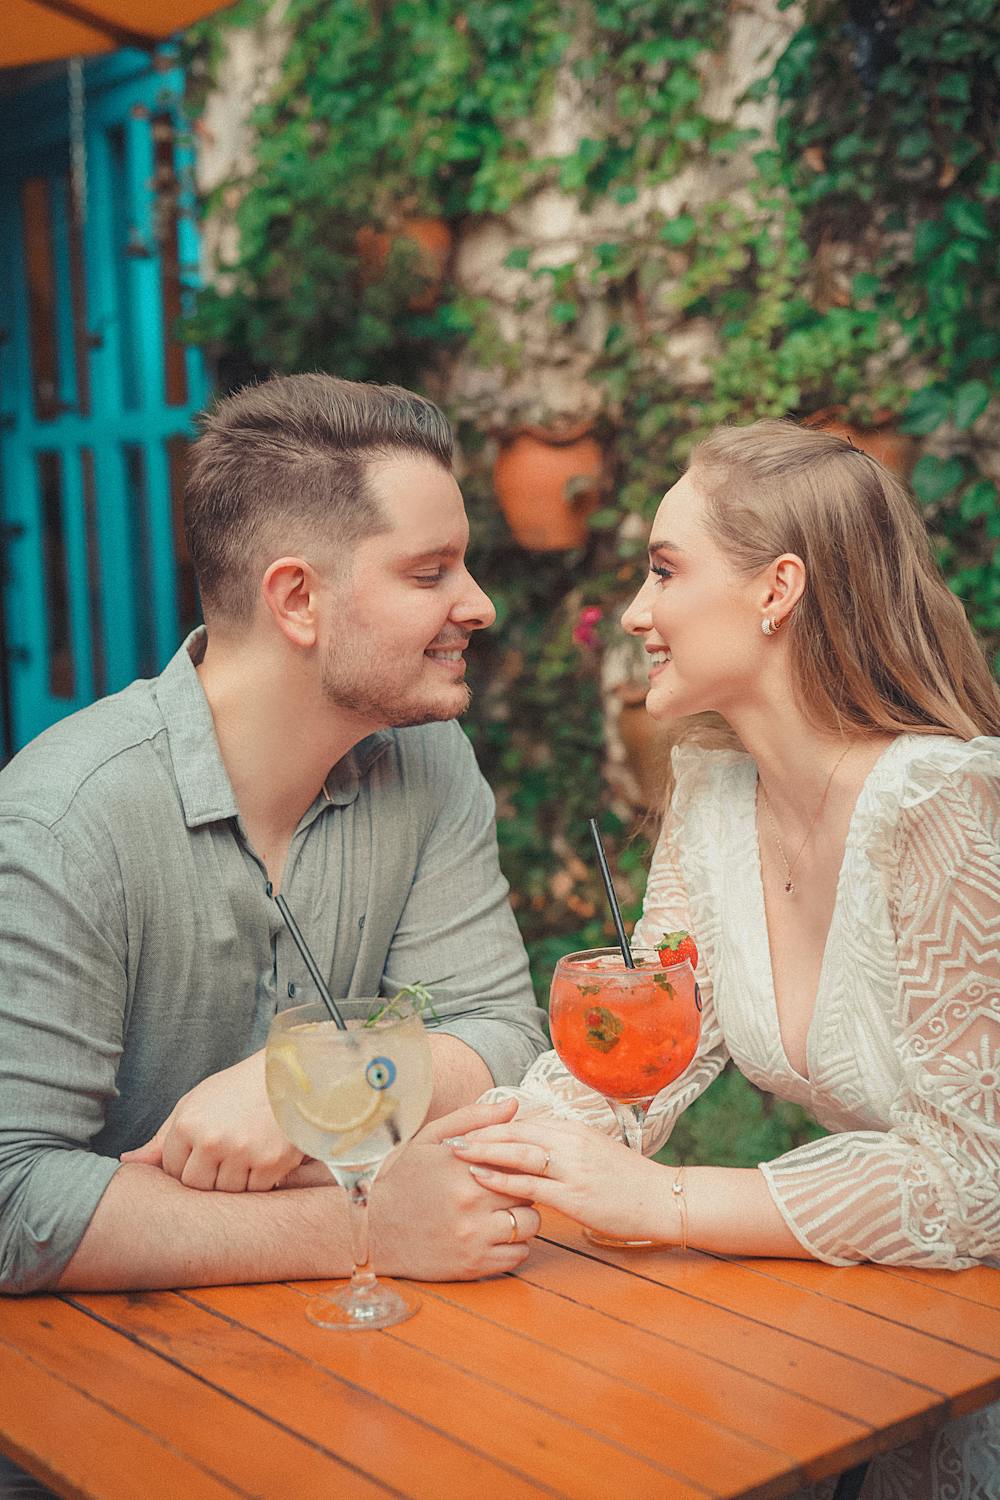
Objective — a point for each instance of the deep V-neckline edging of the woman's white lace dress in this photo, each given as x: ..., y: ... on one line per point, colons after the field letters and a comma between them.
x: 759, y: 916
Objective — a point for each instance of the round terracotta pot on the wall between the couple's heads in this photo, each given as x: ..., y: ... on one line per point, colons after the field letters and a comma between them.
x: 548, y: 484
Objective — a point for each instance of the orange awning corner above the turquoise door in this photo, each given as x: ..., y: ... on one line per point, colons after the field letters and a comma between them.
x: 44, y: 31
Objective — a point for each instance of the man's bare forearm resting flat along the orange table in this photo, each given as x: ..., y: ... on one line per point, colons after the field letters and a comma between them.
x: 149, y: 1232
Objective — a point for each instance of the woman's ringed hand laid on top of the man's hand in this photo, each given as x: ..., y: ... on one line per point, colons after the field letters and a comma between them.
x: 576, y: 1171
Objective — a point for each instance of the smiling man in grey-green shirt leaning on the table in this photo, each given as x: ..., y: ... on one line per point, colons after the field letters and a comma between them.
x: 305, y: 743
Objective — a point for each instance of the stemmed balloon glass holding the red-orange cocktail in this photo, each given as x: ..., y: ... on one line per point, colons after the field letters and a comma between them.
x: 624, y: 1033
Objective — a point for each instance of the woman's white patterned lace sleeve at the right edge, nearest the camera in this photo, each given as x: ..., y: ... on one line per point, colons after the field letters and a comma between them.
x: 926, y: 1193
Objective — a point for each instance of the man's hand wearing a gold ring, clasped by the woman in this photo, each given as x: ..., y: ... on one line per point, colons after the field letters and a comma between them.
x: 433, y: 1222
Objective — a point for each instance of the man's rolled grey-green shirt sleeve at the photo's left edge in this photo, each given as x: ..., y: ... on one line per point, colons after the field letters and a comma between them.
x: 62, y: 1004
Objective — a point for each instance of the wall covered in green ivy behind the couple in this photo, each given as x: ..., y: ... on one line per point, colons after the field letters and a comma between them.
x: 662, y: 215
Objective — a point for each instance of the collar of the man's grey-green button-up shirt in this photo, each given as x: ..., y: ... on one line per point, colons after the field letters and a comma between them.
x: 206, y: 791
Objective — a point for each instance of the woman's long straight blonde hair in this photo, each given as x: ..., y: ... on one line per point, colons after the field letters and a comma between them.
x: 879, y: 643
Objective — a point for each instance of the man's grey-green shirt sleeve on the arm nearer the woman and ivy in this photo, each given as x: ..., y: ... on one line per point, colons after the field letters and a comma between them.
x: 458, y: 932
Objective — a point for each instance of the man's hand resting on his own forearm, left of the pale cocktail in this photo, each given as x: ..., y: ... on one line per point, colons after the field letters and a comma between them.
x: 223, y: 1135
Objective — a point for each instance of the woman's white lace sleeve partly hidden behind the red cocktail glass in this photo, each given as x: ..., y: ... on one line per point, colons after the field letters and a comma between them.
x: 548, y: 1088
